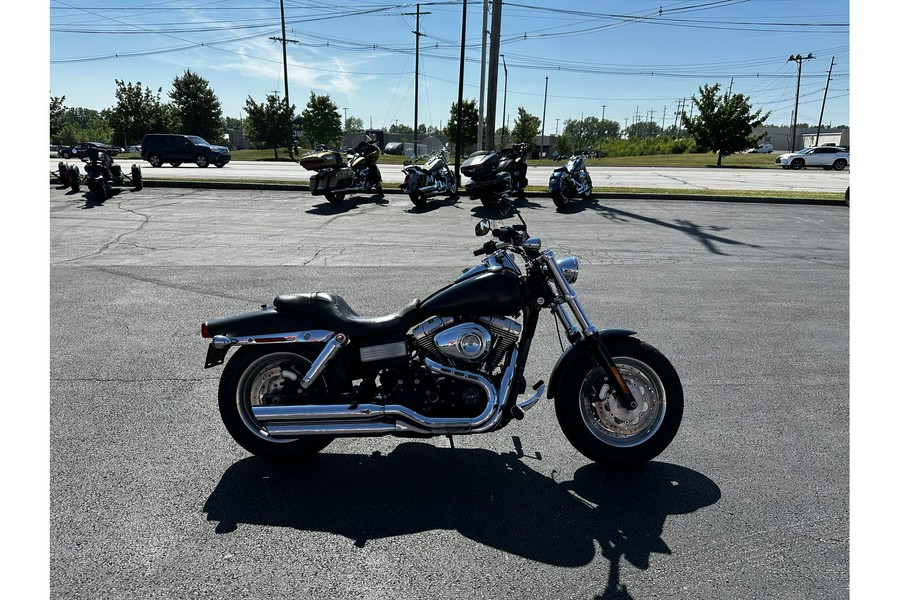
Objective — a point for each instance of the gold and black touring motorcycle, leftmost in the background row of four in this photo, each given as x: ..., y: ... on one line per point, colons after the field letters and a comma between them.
x: 336, y: 178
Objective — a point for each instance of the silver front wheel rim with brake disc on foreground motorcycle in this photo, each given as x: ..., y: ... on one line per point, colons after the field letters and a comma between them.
x: 613, y: 423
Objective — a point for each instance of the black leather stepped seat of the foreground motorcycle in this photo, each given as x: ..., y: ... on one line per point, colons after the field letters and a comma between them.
x: 333, y: 312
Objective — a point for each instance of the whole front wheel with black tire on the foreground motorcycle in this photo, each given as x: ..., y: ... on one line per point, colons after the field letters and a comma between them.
x: 609, y: 434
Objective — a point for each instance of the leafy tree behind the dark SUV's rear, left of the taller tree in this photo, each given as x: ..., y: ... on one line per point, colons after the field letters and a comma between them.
x: 139, y: 111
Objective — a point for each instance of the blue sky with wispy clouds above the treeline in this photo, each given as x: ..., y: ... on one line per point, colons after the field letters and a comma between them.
x: 624, y: 60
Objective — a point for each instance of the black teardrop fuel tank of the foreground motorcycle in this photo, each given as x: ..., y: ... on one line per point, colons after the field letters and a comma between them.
x: 488, y: 293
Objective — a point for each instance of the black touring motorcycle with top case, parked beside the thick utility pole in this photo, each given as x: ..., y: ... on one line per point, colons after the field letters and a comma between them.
x: 495, y: 174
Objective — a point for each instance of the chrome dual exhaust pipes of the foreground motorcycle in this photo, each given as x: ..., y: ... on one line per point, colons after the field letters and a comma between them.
x: 377, y: 419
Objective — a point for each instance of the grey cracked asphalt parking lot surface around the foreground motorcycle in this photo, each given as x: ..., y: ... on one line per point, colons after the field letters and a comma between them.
x: 150, y: 498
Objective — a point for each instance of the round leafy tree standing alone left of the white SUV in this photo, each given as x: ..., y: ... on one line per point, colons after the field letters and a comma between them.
x: 724, y: 124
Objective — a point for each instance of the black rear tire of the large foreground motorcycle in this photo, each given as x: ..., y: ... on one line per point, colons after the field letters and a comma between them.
x: 251, y: 372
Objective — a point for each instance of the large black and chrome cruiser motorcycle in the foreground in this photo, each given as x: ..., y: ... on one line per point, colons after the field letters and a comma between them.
x: 308, y: 368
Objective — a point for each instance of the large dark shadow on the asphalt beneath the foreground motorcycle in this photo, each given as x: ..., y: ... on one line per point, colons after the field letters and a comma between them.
x: 494, y: 499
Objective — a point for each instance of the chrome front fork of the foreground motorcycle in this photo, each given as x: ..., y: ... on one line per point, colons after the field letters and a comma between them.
x: 581, y: 327
